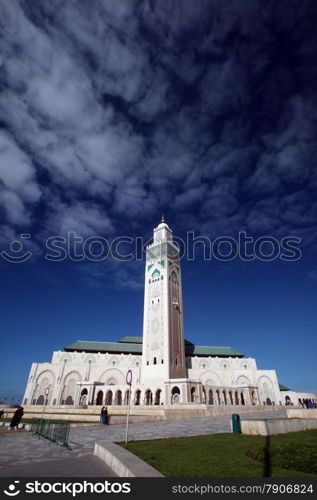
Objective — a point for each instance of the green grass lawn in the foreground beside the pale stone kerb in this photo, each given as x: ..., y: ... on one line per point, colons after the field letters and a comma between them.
x: 229, y: 455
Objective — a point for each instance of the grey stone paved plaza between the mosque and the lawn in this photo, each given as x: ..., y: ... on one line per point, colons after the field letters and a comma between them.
x: 23, y: 455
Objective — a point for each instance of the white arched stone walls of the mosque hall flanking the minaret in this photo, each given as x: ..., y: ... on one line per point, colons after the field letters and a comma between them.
x: 210, y: 380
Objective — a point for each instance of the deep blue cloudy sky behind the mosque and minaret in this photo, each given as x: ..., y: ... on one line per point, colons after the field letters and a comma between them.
x: 112, y: 112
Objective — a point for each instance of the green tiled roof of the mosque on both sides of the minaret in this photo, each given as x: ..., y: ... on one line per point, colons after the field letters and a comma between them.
x: 134, y: 345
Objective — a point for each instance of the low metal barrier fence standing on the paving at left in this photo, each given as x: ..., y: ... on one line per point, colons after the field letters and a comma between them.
x: 53, y: 432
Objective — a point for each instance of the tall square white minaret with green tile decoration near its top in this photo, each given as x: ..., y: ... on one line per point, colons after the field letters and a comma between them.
x: 163, y: 334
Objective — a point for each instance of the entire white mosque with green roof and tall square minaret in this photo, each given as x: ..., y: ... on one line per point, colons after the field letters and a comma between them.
x: 166, y: 368
